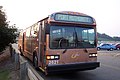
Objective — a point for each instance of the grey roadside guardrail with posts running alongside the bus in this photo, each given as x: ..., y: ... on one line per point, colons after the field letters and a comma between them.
x: 27, y: 72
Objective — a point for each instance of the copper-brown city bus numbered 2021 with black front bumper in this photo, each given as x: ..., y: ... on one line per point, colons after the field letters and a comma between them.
x: 63, y: 41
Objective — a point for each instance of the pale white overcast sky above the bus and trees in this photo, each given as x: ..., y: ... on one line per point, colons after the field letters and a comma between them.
x: 24, y: 13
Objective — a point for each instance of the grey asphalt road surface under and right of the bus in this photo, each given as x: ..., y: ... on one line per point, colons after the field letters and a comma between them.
x: 109, y: 69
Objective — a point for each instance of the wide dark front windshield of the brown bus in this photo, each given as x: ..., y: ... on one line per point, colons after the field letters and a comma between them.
x: 62, y: 37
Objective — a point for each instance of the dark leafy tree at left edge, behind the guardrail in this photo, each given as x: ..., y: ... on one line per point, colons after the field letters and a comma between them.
x: 7, y: 33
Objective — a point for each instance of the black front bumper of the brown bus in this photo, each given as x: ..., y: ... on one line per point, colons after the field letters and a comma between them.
x: 72, y: 67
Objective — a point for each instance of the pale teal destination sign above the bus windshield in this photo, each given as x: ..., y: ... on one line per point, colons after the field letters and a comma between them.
x: 73, y: 18
